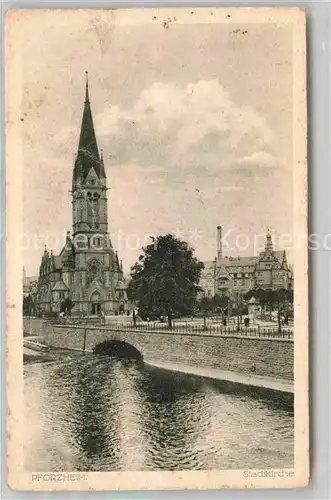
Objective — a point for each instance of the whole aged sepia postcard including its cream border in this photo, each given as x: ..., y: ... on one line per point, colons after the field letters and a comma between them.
x: 157, y: 324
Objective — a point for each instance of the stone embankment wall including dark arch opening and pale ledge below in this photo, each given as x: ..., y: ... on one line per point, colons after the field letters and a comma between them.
x: 262, y: 361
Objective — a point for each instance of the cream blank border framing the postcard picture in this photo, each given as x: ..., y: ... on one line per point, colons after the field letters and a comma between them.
x: 19, y: 479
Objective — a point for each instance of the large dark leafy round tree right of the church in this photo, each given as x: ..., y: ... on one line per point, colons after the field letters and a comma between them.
x: 164, y: 281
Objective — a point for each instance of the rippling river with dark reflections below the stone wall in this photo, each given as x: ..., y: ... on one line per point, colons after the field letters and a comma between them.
x: 94, y: 413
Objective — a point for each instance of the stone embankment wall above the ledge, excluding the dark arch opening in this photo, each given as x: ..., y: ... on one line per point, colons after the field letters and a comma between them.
x: 266, y: 357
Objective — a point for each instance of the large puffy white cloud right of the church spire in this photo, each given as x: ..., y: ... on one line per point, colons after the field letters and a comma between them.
x: 171, y: 125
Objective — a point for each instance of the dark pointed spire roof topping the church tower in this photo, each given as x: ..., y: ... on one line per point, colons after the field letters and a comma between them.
x: 88, y: 153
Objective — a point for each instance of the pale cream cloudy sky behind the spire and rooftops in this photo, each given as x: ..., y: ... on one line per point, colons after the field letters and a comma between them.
x: 195, y: 123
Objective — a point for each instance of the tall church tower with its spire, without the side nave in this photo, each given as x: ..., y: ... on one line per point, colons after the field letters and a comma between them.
x: 96, y: 273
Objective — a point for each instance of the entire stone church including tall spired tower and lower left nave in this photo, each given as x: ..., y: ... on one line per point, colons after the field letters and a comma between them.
x: 87, y: 271
